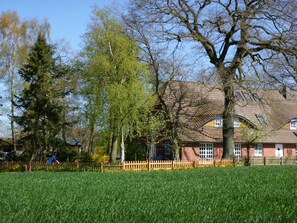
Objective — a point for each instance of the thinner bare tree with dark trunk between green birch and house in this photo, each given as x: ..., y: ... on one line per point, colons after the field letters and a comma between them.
x: 164, y: 65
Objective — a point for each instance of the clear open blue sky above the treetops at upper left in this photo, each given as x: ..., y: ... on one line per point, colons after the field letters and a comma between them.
x: 68, y: 18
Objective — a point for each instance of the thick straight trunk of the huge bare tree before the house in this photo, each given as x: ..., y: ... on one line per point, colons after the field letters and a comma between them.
x: 228, y: 116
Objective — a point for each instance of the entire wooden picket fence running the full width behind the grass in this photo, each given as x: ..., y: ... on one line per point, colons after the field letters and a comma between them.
x: 143, y: 165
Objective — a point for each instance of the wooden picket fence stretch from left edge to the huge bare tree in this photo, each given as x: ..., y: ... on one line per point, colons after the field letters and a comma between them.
x: 112, y: 167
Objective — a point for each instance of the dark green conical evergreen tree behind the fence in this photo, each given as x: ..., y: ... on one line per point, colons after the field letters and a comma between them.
x: 41, y: 100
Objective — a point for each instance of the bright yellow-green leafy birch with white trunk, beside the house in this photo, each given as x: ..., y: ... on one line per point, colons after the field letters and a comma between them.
x: 117, y: 99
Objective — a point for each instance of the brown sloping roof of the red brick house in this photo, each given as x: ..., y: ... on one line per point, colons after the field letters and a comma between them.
x: 195, y: 104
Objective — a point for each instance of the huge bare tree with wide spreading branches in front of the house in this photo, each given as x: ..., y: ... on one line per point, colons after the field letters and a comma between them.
x: 237, y: 38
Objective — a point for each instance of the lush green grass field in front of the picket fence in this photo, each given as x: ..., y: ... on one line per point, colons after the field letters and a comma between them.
x: 242, y: 194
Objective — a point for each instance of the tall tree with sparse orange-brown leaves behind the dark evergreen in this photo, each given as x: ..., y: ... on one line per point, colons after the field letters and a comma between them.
x: 16, y: 36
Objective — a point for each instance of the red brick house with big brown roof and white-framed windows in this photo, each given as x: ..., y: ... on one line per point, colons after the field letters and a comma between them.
x: 265, y: 122
